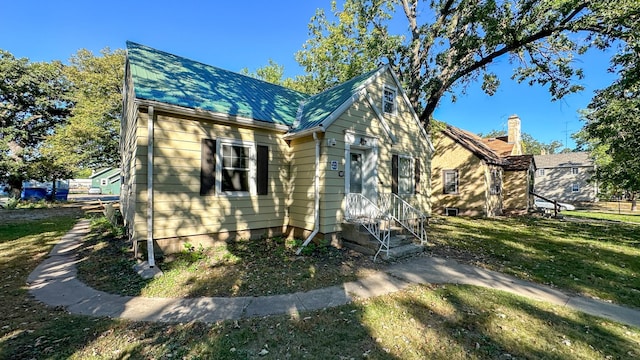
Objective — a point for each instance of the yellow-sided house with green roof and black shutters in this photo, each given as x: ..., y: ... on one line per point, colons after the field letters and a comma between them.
x: 210, y: 155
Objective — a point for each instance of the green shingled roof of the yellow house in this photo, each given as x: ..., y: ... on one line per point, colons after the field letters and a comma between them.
x: 171, y: 79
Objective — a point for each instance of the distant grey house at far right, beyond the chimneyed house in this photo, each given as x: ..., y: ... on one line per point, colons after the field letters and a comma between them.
x: 566, y: 177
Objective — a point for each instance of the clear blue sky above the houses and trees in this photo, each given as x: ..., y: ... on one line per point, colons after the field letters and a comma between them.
x: 246, y: 34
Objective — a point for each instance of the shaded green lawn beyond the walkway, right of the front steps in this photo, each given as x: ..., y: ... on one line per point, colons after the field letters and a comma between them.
x: 598, y: 259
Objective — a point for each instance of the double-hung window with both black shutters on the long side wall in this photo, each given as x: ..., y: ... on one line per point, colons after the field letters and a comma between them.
x: 233, y: 167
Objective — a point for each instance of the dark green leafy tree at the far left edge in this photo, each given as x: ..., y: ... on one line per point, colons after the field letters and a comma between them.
x: 33, y: 101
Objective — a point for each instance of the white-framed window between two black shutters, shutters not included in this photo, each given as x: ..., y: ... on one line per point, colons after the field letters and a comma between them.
x: 235, y: 167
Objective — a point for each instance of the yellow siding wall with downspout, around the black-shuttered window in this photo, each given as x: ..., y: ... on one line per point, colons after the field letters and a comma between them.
x: 181, y: 214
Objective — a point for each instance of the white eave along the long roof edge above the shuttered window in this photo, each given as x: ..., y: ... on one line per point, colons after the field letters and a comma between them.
x: 210, y: 115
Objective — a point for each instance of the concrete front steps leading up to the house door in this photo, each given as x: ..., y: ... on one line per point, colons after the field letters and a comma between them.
x: 356, y: 237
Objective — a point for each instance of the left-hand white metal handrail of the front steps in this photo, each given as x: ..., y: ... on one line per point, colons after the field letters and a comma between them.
x: 363, y: 211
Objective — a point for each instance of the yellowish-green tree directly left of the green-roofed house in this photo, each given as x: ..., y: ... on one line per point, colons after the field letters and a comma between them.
x: 89, y: 140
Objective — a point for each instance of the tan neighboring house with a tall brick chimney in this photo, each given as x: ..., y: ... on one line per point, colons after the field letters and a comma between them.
x: 481, y: 177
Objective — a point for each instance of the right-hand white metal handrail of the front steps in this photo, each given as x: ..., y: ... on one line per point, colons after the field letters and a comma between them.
x: 404, y: 214
